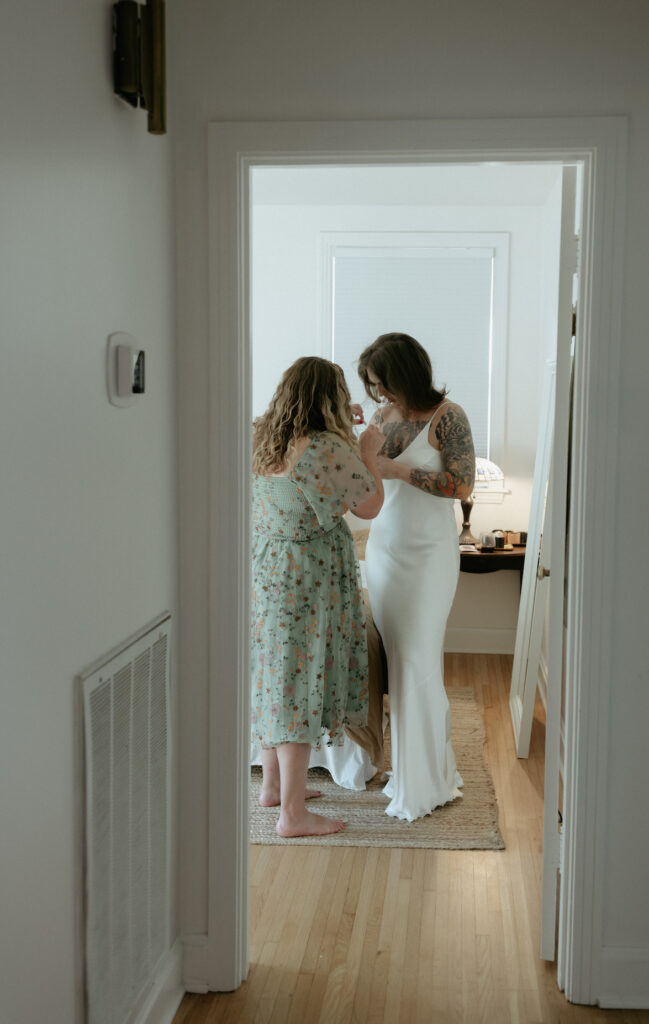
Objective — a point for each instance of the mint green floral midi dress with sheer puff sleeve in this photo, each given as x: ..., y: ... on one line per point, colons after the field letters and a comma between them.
x: 309, y: 652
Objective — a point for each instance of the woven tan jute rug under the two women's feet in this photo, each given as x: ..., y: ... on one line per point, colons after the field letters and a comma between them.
x: 467, y: 824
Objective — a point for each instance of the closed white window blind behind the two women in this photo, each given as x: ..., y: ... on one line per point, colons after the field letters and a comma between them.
x: 441, y: 296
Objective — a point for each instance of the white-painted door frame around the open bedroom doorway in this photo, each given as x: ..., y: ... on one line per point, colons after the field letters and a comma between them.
x: 221, y: 961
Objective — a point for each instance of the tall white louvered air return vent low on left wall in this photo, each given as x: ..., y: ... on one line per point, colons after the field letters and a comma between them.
x: 127, y: 824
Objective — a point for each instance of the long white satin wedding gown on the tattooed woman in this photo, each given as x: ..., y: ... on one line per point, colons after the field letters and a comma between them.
x: 413, y: 565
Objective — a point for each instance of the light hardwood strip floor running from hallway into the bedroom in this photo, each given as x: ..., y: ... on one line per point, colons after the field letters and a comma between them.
x: 366, y: 935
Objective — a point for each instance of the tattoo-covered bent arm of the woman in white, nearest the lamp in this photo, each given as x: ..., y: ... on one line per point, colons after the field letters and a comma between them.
x: 456, y: 446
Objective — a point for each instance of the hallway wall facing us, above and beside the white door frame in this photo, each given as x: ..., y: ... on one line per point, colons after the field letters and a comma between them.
x: 341, y: 61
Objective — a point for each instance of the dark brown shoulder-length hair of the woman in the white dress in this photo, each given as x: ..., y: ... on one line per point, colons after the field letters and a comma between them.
x: 403, y: 367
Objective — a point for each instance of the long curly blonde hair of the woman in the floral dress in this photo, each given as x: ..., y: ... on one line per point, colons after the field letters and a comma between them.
x: 312, y: 397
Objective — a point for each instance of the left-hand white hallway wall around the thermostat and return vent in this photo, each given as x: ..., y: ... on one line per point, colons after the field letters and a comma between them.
x: 89, y: 491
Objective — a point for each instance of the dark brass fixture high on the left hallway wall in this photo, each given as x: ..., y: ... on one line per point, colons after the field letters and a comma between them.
x: 139, y: 59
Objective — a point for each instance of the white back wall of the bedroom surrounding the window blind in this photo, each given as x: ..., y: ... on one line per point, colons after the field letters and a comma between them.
x: 287, y: 285
